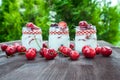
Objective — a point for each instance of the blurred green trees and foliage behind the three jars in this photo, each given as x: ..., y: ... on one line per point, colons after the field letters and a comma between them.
x: 104, y: 14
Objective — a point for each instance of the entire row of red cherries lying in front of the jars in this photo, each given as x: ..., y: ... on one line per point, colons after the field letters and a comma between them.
x: 87, y: 51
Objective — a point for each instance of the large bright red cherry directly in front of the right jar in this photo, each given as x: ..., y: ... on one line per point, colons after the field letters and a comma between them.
x: 89, y: 52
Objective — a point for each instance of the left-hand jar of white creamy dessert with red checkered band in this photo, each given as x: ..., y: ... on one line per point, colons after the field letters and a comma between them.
x: 32, y: 36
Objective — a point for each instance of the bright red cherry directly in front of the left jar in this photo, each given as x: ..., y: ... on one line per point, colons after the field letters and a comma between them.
x: 30, y: 54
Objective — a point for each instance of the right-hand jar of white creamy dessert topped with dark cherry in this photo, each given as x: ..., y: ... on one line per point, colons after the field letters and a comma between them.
x: 85, y: 35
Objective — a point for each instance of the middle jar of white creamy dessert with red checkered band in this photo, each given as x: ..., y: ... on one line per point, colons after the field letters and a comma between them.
x: 58, y: 35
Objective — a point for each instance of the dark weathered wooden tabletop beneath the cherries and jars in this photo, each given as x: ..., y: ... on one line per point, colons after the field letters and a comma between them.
x: 61, y: 68
